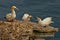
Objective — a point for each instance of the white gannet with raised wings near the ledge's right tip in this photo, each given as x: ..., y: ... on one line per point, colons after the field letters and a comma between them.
x: 45, y: 22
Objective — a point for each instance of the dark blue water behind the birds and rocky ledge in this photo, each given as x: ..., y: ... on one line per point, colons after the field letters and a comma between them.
x: 41, y: 8
